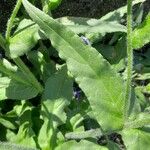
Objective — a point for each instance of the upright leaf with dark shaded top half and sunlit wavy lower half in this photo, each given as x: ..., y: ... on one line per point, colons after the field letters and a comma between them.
x: 57, y: 94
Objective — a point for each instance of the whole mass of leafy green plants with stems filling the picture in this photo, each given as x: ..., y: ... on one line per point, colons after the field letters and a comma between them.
x: 74, y: 98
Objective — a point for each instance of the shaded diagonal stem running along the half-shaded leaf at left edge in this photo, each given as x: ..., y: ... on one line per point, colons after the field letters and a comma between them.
x: 28, y: 74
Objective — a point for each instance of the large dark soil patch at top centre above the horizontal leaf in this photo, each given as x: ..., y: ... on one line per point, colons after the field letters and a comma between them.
x: 87, y: 8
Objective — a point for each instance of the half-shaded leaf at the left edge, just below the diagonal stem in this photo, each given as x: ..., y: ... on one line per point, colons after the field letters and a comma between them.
x: 17, y: 85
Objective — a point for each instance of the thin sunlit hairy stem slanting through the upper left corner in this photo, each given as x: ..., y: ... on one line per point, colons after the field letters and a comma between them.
x: 11, y: 20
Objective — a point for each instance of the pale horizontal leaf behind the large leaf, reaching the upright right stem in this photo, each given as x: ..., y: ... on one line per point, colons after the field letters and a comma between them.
x: 91, y: 25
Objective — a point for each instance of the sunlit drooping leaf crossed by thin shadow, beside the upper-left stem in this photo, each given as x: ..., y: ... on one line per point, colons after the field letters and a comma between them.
x: 24, y: 39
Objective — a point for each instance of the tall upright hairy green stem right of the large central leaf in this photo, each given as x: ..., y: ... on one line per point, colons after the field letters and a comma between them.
x: 130, y: 57
